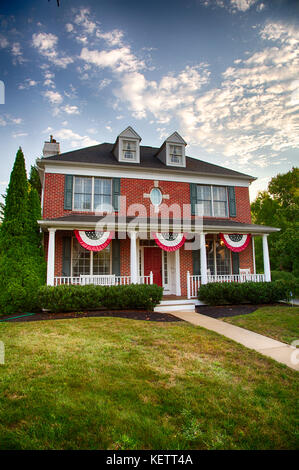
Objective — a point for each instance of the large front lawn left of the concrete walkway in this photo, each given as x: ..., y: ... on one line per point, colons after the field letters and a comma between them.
x: 111, y: 383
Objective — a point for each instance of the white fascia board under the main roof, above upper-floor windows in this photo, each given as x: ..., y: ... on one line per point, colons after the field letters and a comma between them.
x: 149, y: 174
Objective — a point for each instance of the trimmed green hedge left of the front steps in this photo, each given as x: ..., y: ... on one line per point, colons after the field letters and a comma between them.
x: 77, y: 298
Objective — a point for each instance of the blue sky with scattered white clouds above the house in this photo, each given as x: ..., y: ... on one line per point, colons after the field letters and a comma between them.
x: 223, y: 73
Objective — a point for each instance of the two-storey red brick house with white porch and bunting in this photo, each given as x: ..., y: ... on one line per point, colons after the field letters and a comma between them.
x: 126, y: 213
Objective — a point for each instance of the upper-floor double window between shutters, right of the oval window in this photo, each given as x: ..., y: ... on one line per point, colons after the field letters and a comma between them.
x: 212, y: 201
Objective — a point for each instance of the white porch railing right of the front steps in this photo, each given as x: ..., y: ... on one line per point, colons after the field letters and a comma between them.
x: 194, y: 281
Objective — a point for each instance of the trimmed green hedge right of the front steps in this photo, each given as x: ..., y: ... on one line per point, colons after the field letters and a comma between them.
x: 219, y: 293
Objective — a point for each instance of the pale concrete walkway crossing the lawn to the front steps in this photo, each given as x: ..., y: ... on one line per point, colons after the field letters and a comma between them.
x: 281, y: 352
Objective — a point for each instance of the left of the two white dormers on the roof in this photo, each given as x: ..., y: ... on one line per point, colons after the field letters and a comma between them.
x: 127, y: 146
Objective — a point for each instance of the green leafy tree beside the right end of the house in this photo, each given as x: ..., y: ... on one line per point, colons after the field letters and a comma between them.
x: 279, y: 207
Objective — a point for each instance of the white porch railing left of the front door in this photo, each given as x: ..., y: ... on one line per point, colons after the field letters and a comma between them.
x: 102, y: 280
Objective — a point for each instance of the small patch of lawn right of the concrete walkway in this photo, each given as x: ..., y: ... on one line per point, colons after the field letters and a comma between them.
x: 281, y: 323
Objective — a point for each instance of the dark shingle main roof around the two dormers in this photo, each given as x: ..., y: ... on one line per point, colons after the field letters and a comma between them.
x: 102, y: 154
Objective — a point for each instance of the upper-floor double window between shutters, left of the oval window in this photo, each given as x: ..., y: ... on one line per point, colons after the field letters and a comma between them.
x: 92, y: 194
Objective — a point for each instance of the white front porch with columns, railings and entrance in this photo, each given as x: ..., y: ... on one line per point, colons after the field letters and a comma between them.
x: 140, y: 272
